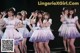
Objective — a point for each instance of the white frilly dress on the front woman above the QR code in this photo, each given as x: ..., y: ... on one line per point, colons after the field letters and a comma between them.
x: 11, y: 32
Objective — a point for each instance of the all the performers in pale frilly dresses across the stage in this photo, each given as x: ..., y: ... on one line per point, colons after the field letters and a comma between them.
x: 40, y: 33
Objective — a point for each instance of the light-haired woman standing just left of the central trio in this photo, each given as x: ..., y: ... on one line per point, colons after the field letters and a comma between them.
x: 26, y: 34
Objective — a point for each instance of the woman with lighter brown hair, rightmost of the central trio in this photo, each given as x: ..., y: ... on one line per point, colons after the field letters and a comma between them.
x: 48, y: 35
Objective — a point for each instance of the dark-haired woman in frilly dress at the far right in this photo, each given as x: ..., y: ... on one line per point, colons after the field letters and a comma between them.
x: 72, y: 32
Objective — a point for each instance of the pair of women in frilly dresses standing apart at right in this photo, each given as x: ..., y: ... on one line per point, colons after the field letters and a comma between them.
x: 68, y: 29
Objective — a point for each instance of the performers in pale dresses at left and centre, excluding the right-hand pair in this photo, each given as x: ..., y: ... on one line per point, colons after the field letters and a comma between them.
x: 40, y: 34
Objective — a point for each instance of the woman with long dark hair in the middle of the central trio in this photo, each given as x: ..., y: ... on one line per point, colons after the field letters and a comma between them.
x: 35, y: 32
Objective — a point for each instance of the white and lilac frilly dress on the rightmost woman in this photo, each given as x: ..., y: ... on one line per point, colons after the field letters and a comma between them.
x: 71, y: 31
